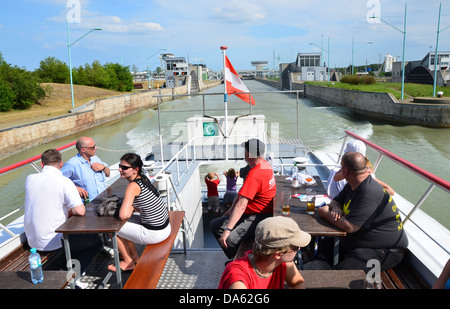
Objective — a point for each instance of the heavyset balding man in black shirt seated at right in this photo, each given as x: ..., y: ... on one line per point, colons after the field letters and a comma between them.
x: 369, y: 216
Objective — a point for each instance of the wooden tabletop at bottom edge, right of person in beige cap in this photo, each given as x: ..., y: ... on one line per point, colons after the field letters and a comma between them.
x: 333, y: 279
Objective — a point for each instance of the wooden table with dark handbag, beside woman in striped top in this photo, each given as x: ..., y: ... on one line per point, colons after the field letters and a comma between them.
x: 91, y: 223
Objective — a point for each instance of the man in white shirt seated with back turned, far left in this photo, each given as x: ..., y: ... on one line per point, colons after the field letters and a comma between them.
x: 49, y: 199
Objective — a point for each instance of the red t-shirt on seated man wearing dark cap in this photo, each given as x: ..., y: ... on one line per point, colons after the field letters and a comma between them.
x: 260, y: 188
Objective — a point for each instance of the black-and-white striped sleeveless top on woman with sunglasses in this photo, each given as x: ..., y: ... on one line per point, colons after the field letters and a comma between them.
x: 153, y: 211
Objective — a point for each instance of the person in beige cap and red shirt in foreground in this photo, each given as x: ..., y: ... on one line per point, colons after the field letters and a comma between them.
x: 270, y: 264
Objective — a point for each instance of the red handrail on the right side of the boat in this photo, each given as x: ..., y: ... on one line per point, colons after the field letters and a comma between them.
x: 418, y: 170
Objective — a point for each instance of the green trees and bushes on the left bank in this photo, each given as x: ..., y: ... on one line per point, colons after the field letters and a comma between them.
x: 20, y: 89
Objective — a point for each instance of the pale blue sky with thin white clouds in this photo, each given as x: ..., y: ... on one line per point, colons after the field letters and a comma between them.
x: 253, y: 30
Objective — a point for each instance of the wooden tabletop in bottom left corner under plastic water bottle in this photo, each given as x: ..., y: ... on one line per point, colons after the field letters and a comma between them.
x: 22, y: 280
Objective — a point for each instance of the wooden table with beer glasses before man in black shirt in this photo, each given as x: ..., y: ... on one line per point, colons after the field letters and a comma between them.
x: 312, y: 224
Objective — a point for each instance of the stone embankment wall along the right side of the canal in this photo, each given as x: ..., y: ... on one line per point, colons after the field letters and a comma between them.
x: 430, y: 112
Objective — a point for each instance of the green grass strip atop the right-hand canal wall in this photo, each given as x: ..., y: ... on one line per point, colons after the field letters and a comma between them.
x: 411, y: 90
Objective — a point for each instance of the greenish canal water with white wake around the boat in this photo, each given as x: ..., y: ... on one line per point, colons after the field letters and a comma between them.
x: 321, y: 128
